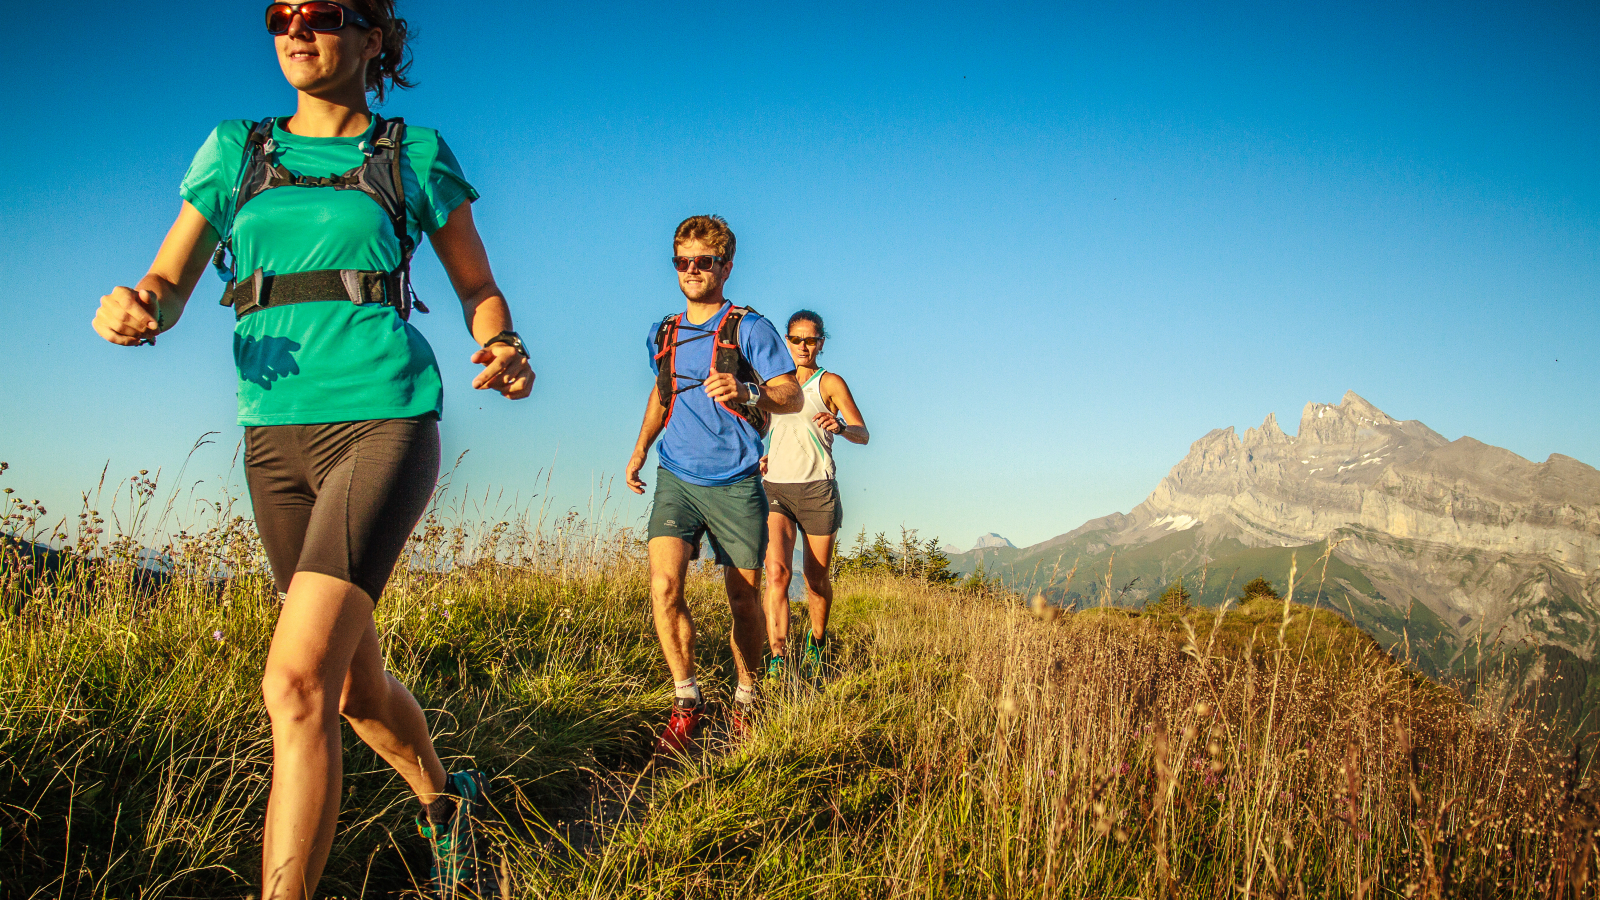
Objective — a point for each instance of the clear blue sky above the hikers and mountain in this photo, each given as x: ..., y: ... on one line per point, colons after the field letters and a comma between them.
x: 1055, y: 243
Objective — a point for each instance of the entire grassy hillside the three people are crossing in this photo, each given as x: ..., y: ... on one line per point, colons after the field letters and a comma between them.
x: 967, y: 747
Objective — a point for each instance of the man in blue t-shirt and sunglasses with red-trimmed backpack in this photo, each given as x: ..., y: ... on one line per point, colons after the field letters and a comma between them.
x: 710, y: 480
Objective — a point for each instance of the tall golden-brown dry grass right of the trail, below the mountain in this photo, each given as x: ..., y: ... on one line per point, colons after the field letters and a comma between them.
x: 972, y: 749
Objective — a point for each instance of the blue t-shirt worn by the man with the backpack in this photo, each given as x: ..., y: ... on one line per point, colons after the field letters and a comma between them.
x: 706, y: 444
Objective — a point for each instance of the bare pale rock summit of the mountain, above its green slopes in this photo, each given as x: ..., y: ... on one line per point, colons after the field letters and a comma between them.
x: 1354, y: 465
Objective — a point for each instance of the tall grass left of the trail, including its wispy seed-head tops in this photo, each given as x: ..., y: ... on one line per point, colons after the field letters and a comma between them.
x: 134, y: 742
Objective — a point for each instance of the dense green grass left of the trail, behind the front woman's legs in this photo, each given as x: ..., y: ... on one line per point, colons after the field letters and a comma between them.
x: 134, y: 742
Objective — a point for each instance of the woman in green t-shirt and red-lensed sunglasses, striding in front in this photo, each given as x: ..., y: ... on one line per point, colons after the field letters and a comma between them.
x: 340, y: 398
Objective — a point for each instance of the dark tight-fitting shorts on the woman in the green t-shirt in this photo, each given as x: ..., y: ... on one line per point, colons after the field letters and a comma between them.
x: 340, y: 499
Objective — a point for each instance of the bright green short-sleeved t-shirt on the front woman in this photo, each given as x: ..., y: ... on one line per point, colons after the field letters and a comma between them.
x: 318, y: 363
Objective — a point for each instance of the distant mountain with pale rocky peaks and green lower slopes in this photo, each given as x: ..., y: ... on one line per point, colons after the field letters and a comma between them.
x: 1441, y: 542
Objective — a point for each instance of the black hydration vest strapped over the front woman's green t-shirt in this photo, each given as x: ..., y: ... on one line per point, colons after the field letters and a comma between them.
x: 378, y: 177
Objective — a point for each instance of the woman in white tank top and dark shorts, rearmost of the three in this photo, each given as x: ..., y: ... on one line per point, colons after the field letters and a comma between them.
x: 802, y: 496
